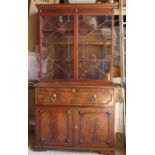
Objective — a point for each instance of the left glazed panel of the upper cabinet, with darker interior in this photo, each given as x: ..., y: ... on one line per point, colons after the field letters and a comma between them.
x: 57, y: 47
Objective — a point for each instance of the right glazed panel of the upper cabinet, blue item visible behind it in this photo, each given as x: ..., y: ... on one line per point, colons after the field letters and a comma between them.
x: 95, y: 47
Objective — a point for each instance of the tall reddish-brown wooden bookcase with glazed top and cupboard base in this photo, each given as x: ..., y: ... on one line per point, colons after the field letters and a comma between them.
x: 74, y: 107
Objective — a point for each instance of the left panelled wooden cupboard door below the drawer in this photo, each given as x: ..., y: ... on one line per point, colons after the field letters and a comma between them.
x: 54, y: 126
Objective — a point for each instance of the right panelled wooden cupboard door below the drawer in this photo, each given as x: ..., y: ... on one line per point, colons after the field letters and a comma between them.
x: 94, y: 127
